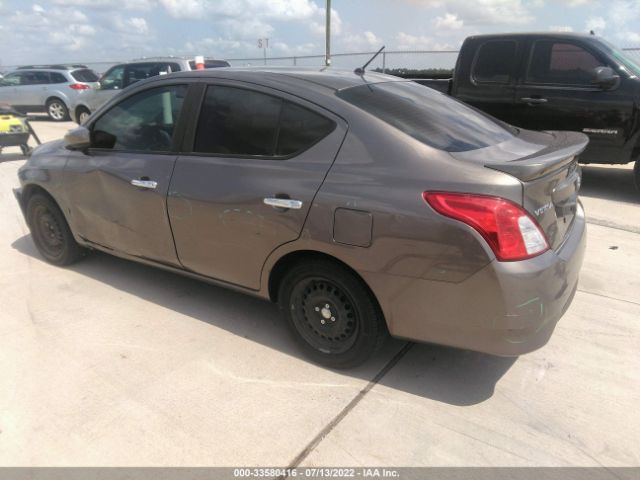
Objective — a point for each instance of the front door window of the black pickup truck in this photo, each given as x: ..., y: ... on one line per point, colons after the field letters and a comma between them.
x: 561, y: 63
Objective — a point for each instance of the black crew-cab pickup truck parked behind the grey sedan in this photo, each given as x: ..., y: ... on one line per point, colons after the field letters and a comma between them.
x: 554, y: 81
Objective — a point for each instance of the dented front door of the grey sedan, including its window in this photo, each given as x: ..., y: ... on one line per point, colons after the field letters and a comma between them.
x: 117, y: 190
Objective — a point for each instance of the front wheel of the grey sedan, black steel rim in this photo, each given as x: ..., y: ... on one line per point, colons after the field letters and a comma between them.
x: 50, y: 231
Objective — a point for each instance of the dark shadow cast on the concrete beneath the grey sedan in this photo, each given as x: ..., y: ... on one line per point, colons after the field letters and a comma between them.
x: 443, y: 374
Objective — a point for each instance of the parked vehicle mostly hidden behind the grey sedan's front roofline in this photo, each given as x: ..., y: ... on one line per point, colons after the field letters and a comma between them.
x: 125, y: 74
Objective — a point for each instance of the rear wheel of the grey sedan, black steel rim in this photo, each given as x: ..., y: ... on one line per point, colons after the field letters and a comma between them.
x: 334, y: 318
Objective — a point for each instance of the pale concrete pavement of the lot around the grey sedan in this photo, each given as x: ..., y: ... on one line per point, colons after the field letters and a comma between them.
x: 113, y: 363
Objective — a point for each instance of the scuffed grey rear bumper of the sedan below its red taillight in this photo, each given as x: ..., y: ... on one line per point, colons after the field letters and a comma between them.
x: 507, y: 308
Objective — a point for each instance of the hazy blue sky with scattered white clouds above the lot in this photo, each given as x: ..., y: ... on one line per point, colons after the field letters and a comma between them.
x: 48, y: 31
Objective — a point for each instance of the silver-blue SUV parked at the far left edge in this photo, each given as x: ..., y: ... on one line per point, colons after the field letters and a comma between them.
x: 48, y: 88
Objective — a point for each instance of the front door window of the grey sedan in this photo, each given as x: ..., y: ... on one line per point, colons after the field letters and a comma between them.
x: 143, y: 122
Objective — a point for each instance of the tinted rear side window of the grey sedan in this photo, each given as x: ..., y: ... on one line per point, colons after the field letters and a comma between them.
x: 236, y: 121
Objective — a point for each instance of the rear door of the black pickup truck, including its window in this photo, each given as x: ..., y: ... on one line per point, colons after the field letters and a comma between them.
x: 487, y: 81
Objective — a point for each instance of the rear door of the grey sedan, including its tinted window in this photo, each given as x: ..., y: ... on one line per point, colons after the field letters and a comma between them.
x: 256, y: 159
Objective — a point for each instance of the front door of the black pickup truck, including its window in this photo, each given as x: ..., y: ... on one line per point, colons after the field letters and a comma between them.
x: 556, y: 93
